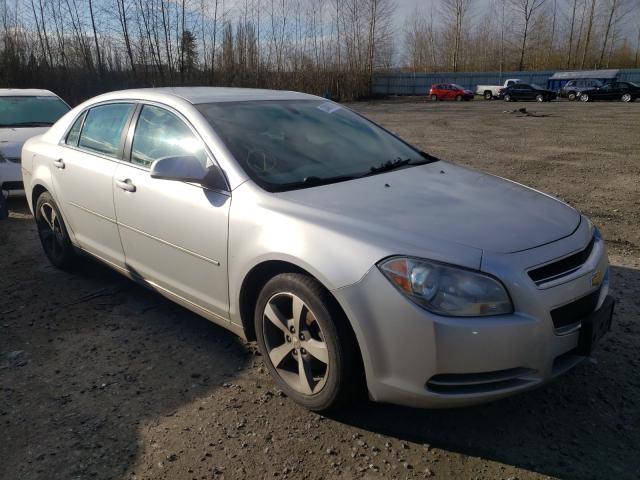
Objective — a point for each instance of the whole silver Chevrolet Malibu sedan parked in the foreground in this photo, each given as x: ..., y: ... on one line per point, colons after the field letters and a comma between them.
x: 358, y: 262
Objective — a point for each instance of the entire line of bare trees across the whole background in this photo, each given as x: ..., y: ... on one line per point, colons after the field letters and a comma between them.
x: 79, y: 48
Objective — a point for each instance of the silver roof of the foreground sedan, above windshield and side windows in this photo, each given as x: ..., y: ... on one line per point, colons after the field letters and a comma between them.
x: 197, y: 95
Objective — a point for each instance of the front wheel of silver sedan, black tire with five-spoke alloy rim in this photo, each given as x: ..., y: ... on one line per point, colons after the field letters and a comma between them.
x: 326, y: 379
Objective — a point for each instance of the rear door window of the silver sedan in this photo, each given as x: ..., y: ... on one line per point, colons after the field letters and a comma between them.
x: 102, y: 130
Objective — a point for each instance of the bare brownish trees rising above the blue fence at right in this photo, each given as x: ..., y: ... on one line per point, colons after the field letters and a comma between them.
x: 454, y: 35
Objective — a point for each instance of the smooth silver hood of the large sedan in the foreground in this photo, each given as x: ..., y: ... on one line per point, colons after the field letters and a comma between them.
x: 445, y: 202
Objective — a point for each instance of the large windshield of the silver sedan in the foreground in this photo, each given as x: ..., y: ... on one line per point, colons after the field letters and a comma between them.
x: 288, y: 144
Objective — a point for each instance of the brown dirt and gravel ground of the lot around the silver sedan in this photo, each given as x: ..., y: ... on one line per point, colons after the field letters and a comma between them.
x: 100, y: 378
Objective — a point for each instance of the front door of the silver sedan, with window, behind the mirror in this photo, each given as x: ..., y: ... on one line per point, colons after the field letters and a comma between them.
x: 174, y: 234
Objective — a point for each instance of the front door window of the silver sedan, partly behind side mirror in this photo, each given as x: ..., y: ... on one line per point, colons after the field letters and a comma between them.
x: 161, y: 134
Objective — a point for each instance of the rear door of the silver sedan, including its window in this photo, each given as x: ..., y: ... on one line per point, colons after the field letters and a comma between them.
x: 83, y: 178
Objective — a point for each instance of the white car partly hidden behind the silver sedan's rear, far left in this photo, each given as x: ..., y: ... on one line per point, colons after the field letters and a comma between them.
x: 23, y: 114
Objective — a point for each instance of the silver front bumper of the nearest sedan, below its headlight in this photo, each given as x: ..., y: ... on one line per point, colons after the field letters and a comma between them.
x: 415, y: 358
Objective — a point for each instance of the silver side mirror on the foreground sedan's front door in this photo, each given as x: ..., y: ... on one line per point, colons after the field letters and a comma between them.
x: 188, y: 169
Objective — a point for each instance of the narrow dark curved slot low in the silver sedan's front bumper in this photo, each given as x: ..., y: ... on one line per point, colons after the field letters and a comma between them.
x: 483, y: 382
